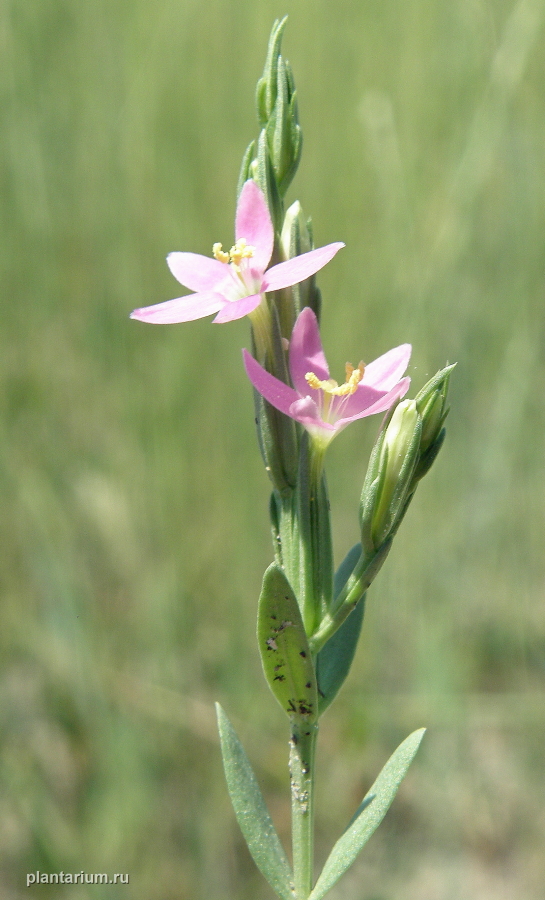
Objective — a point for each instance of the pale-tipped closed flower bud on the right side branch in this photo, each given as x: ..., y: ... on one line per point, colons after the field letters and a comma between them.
x: 399, y: 453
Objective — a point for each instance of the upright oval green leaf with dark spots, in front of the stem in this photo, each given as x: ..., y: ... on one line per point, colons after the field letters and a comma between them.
x: 283, y: 645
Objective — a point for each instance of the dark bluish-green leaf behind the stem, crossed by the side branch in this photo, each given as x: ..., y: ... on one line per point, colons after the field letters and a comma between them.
x: 335, y: 658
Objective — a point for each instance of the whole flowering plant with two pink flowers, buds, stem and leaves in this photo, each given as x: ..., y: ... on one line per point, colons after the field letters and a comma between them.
x: 309, y: 615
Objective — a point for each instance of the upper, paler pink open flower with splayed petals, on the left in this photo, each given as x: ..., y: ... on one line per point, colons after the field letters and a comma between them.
x: 231, y: 284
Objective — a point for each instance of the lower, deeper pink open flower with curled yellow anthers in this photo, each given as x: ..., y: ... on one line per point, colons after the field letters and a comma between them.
x: 318, y: 402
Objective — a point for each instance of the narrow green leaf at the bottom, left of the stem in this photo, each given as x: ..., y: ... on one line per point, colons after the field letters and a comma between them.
x: 252, y: 813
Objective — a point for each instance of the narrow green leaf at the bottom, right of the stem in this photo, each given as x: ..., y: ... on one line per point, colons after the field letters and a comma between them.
x: 369, y: 815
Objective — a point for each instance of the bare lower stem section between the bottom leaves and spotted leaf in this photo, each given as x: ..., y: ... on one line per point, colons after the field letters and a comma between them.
x: 302, y: 753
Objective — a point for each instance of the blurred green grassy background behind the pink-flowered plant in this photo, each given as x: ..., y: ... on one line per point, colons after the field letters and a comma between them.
x: 134, y: 504
